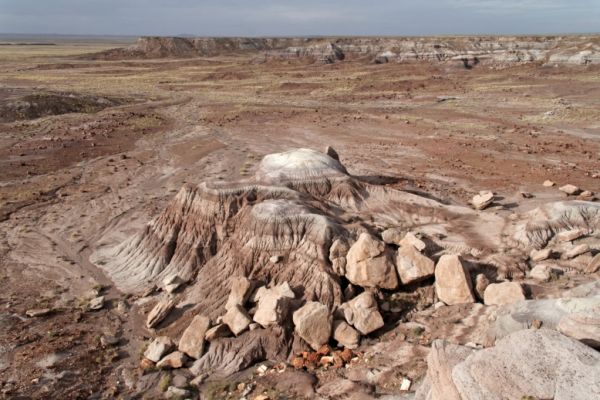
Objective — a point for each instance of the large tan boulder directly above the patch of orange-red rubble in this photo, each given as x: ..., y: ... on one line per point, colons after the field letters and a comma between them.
x: 313, y: 324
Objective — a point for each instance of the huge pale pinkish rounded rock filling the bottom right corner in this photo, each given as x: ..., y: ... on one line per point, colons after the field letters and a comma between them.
x: 542, y: 364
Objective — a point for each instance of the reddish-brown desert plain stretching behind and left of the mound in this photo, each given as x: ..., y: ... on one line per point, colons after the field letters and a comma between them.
x: 66, y: 180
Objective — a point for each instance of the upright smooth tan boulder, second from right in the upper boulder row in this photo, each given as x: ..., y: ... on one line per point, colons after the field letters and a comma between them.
x: 452, y: 281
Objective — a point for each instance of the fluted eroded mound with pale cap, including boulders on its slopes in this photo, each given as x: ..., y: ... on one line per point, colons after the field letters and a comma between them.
x: 303, y: 237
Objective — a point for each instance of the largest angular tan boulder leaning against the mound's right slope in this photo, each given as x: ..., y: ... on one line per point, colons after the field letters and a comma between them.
x: 369, y: 264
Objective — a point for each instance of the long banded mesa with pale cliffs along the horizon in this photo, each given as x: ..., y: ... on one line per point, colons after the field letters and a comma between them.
x: 466, y: 51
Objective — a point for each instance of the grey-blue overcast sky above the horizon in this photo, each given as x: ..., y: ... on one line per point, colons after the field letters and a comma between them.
x: 298, y: 17
